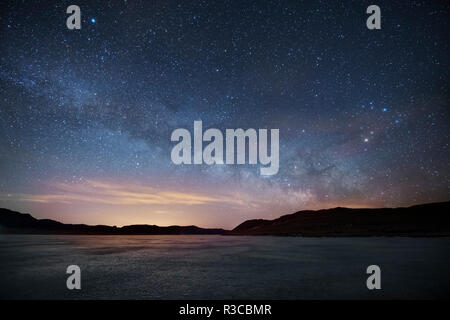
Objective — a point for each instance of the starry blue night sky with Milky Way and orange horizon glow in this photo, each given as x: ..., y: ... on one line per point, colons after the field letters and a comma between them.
x: 86, y: 115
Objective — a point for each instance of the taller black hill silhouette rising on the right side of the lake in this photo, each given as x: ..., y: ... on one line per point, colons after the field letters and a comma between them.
x: 417, y: 221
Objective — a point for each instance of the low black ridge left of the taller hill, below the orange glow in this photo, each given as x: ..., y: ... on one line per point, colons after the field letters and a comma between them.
x: 23, y: 223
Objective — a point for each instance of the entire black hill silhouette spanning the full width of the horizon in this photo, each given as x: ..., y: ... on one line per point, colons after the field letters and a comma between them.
x: 426, y: 220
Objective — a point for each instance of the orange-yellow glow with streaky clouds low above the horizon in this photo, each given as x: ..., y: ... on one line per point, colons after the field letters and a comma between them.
x: 96, y: 201
